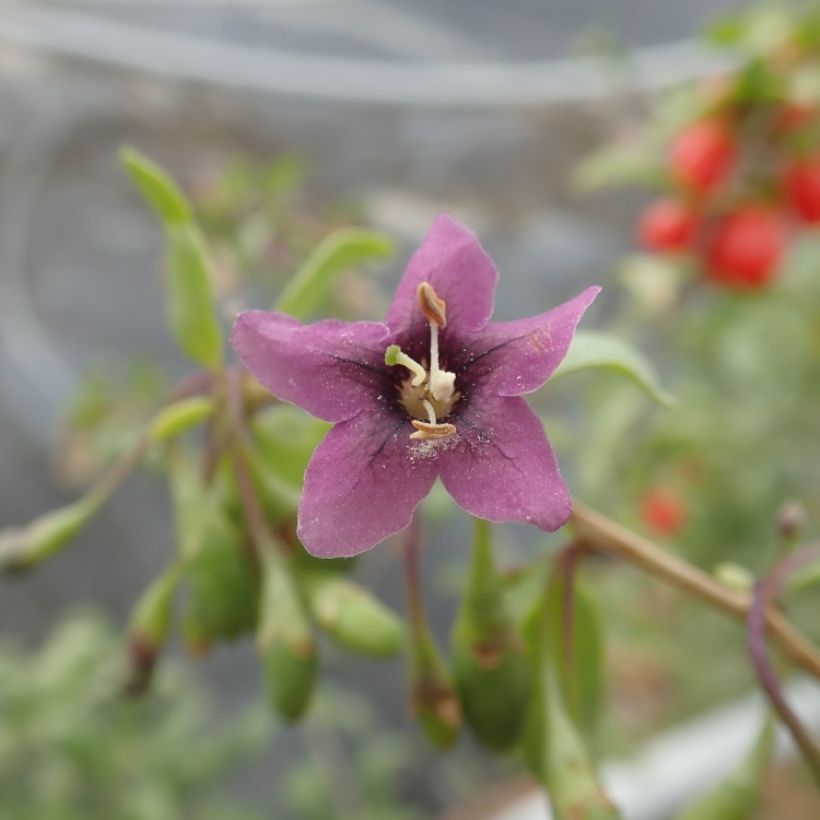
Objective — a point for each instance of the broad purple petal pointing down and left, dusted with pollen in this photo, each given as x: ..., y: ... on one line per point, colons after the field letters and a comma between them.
x: 362, y: 484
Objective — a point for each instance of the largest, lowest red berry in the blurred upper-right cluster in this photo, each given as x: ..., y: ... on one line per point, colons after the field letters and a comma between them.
x: 746, y: 247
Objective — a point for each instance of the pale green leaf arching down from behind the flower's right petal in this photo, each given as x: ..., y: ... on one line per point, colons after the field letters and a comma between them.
x: 592, y: 348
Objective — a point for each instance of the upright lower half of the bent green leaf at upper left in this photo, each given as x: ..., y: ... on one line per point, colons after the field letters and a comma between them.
x: 191, y: 309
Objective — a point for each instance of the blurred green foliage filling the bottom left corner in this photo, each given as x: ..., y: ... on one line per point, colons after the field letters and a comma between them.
x: 72, y: 747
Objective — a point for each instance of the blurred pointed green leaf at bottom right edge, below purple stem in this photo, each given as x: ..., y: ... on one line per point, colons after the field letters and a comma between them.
x: 737, y: 797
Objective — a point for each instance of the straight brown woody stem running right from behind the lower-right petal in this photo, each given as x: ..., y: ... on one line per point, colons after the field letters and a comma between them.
x: 598, y: 532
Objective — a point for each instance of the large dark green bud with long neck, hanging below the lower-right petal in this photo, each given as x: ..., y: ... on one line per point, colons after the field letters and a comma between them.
x: 492, y: 671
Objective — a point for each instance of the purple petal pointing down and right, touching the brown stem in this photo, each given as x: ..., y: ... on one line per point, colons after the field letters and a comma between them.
x: 504, y: 469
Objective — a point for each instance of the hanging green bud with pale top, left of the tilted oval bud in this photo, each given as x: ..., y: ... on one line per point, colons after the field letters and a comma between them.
x: 285, y: 641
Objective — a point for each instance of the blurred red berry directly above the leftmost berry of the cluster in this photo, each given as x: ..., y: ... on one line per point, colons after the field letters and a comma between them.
x: 703, y: 155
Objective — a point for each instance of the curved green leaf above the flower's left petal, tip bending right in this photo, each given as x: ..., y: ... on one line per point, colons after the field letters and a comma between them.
x: 336, y: 253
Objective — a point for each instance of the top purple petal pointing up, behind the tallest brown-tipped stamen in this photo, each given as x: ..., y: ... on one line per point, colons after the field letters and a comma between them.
x: 452, y: 260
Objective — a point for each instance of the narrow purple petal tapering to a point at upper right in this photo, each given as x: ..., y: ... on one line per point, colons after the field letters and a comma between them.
x: 512, y: 358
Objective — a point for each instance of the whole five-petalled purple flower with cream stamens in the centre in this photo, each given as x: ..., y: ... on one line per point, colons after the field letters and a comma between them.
x: 434, y: 391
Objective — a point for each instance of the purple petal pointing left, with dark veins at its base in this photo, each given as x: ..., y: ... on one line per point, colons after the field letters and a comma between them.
x: 332, y: 369
